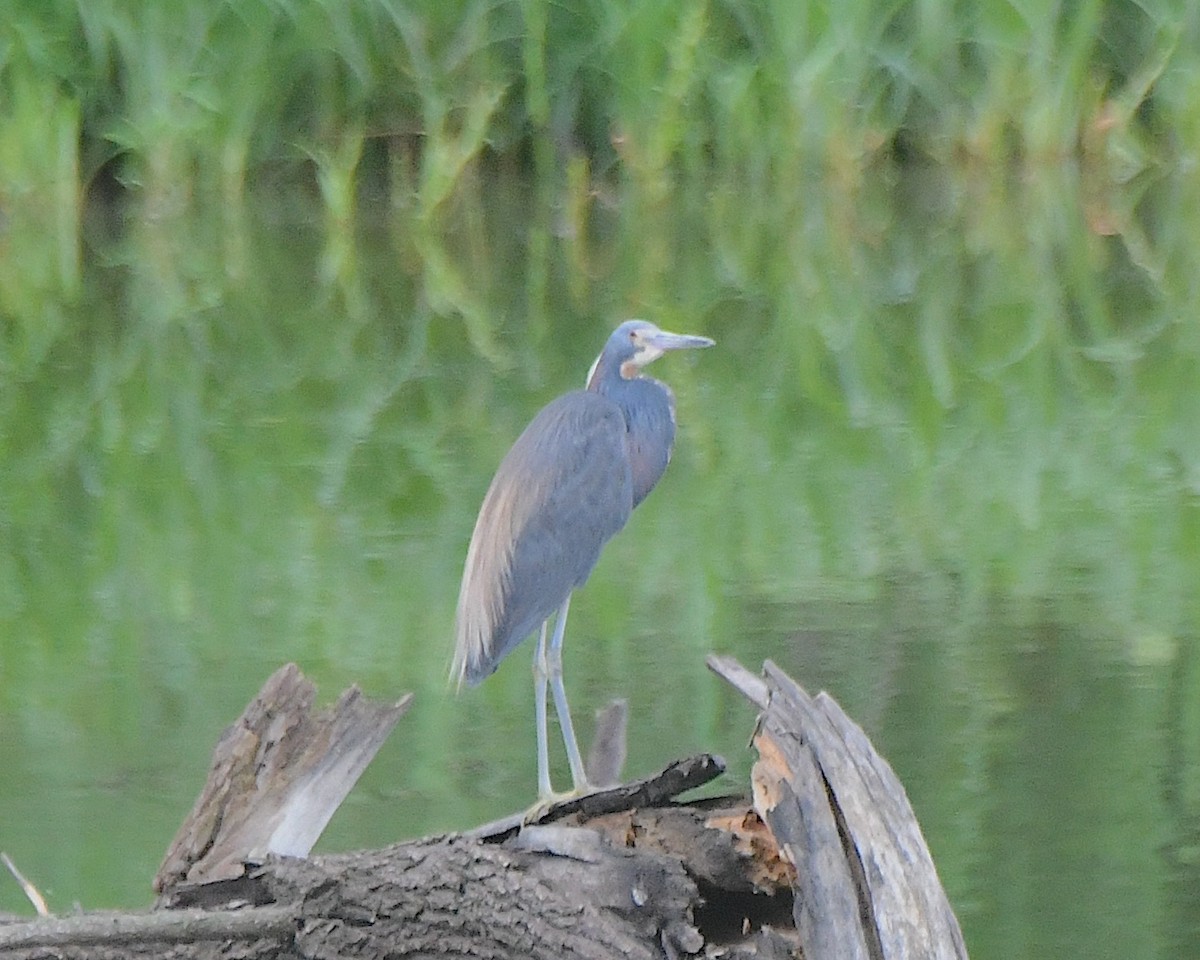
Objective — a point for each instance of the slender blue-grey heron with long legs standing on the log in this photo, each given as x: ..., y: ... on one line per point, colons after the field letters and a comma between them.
x: 566, y: 488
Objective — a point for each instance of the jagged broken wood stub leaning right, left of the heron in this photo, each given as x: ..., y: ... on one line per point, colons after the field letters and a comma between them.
x: 278, y: 776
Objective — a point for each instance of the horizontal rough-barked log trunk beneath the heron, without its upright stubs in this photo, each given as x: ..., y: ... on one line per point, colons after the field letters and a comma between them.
x: 626, y: 887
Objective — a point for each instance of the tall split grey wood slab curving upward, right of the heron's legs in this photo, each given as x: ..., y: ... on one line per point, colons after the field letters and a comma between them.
x: 866, y: 881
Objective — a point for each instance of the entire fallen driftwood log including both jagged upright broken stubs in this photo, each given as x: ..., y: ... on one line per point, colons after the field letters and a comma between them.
x: 825, y: 860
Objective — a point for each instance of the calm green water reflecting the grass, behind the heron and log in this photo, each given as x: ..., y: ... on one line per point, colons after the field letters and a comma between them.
x: 943, y: 464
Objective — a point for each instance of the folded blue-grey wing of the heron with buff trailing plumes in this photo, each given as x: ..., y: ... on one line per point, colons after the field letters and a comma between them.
x: 559, y: 496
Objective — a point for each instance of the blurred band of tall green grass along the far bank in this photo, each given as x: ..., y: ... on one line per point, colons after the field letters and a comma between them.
x: 196, y: 99
